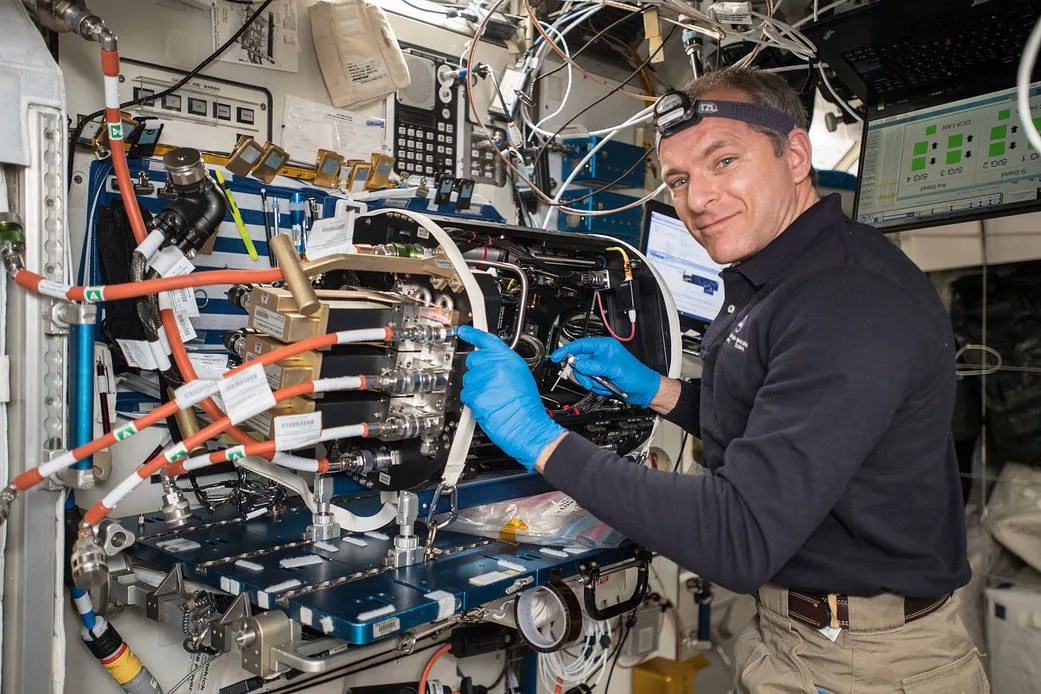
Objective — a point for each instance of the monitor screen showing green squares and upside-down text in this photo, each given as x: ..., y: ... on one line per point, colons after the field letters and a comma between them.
x: 967, y: 160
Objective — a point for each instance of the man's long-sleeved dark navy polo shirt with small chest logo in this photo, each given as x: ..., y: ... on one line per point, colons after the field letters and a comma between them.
x: 825, y: 410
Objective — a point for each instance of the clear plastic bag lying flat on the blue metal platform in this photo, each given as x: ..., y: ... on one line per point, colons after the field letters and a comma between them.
x: 553, y: 520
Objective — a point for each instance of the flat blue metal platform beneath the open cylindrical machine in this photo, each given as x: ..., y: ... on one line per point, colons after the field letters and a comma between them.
x: 350, y: 584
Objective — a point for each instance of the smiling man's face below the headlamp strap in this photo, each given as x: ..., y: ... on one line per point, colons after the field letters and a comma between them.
x: 732, y: 191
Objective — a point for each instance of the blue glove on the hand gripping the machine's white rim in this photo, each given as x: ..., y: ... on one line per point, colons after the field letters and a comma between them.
x: 501, y: 392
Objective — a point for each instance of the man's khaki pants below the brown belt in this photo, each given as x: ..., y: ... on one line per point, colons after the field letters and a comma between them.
x: 879, y: 654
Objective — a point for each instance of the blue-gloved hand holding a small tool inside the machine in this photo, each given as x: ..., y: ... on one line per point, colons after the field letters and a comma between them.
x: 606, y: 357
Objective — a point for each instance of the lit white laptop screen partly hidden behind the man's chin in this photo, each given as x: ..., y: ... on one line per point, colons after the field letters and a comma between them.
x: 690, y: 273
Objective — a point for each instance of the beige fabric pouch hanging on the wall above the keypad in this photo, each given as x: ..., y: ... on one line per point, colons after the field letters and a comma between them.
x: 359, y: 54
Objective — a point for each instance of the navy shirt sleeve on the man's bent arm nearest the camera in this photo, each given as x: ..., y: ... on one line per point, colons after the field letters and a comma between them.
x: 842, y: 356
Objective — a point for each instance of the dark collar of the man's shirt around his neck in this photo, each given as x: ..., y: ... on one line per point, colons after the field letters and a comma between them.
x: 793, y: 243
